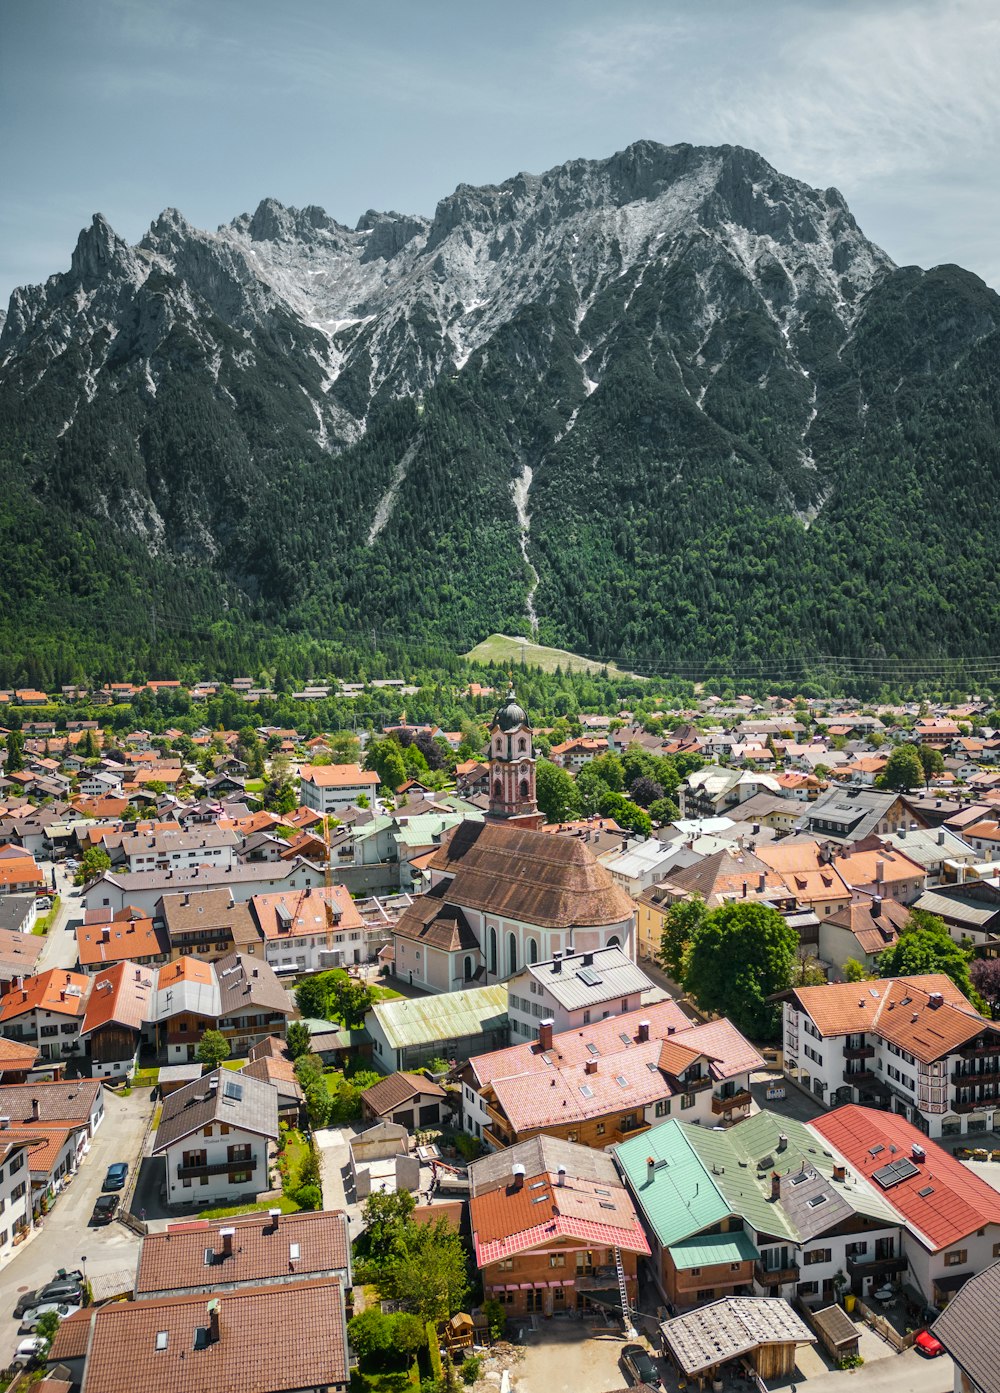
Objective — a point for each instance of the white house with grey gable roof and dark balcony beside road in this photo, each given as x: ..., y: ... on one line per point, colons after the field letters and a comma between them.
x: 217, y: 1137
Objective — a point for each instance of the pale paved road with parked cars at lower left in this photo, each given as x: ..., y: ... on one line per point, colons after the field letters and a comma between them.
x: 66, y: 1236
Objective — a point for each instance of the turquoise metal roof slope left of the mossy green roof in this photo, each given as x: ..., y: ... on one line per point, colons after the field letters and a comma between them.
x: 679, y: 1197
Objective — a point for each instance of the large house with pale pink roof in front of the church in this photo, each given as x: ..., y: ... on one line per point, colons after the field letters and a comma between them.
x: 604, y: 1083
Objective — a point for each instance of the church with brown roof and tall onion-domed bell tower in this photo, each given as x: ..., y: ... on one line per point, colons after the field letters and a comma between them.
x: 503, y: 894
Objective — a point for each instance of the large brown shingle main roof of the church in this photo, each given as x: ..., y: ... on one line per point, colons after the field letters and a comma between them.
x: 552, y: 882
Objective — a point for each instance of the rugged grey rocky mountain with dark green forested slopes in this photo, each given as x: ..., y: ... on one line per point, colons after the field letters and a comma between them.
x: 671, y: 405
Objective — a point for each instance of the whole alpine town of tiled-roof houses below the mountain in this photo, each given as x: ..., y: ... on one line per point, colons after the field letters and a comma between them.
x: 604, y: 1045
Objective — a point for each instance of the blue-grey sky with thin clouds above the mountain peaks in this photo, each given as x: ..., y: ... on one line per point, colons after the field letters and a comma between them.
x: 132, y: 107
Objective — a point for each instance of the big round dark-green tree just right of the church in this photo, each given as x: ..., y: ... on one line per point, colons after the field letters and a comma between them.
x: 740, y: 956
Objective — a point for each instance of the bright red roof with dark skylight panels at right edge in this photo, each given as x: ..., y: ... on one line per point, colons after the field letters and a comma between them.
x: 959, y: 1204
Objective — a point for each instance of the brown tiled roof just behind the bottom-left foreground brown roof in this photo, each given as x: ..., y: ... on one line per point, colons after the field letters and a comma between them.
x: 250, y: 1250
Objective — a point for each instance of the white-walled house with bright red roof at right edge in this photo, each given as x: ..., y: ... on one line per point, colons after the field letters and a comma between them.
x: 951, y: 1217
